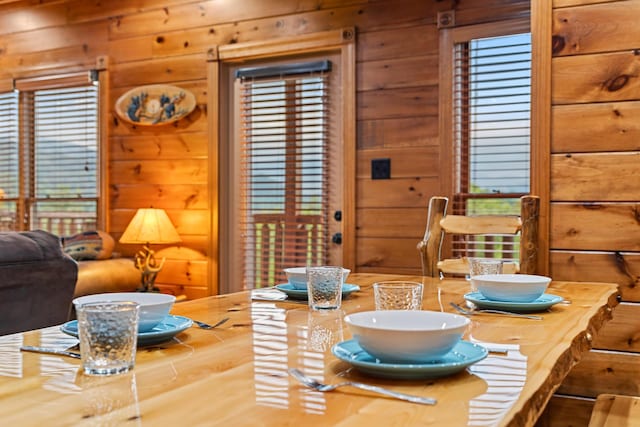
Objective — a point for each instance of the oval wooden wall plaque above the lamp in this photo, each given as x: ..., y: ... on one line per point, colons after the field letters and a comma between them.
x: 155, y: 105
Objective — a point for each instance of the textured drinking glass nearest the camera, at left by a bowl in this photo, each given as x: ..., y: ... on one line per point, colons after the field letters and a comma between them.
x: 108, y: 333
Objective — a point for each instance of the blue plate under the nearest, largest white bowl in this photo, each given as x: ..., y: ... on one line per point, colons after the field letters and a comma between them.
x: 462, y: 355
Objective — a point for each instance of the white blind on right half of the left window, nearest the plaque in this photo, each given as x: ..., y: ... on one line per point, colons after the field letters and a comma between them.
x: 65, y: 158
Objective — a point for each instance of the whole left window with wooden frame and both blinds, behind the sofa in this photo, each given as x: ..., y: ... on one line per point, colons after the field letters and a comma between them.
x: 49, y: 148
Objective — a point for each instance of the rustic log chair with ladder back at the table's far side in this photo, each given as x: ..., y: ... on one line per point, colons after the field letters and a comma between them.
x: 498, y: 231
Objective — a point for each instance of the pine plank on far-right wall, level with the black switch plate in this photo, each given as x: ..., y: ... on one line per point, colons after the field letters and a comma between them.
x: 595, y: 176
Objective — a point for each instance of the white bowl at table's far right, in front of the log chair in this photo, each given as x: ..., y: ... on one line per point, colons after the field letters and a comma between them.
x: 511, y: 287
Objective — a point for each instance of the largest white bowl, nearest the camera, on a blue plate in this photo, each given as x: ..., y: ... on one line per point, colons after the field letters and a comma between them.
x: 406, y: 336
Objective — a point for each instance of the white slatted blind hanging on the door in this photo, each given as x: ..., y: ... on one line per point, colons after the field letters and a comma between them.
x: 283, y: 172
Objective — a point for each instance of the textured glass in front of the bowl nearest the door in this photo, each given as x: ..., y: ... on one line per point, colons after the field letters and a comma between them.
x: 324, y: 286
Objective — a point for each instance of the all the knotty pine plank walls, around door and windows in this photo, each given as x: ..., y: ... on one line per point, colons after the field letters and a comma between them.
x: 594, y: 158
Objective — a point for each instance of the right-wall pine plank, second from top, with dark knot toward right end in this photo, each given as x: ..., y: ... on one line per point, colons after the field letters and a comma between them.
x: 596, y: 78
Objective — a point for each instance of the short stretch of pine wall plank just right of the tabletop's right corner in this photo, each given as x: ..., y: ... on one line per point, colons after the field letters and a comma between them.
x: 622, y: 333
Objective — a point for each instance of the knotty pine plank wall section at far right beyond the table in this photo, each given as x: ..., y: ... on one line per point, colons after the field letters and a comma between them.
x: 595, y: 187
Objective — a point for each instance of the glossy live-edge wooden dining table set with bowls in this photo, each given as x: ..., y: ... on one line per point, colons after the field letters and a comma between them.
x: 237, y: 374
